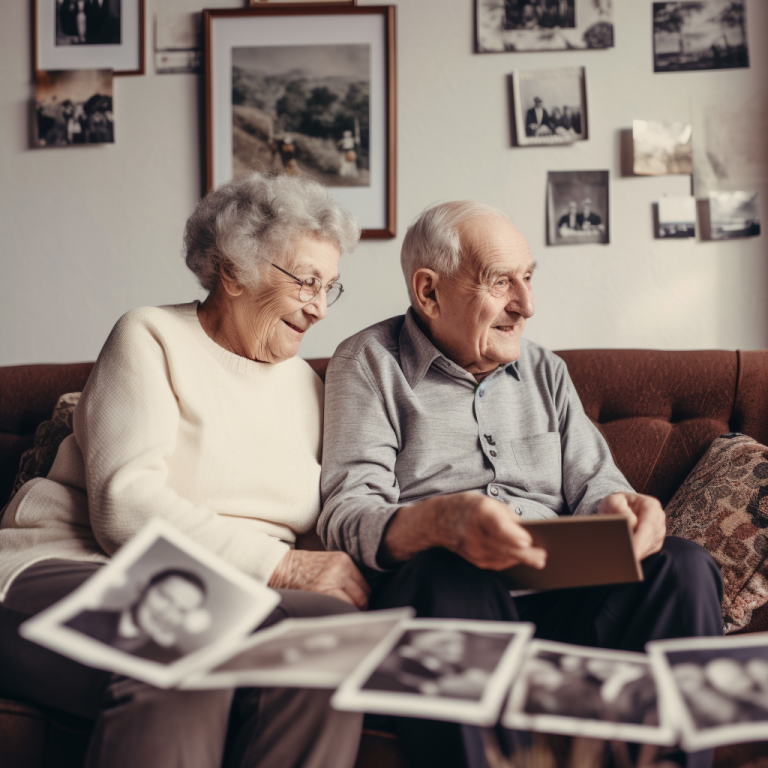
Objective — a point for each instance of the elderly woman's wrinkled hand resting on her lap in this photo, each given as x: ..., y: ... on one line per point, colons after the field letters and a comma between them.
x: 330, y: 573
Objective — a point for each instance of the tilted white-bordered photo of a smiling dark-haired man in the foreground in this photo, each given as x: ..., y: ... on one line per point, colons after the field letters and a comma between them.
x: 163, y: 608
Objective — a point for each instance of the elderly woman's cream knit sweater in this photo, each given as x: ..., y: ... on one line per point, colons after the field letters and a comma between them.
x: 172, y: 425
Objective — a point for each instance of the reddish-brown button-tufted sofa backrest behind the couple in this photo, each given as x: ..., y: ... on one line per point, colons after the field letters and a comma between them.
x: 659, y: 411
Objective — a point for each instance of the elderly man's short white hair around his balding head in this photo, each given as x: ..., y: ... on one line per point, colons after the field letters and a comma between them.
x: 433, y: 241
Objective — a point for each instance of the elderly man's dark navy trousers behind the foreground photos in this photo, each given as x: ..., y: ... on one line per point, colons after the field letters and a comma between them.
x: 680, y: 596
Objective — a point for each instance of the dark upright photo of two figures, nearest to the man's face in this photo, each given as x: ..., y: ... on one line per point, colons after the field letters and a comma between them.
x: 577, y: 207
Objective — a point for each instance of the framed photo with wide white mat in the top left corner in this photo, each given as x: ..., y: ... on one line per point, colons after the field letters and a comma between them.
x: 90, y: 34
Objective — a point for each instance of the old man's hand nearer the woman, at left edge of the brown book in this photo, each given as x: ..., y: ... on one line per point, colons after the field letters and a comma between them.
x: 483, y: 531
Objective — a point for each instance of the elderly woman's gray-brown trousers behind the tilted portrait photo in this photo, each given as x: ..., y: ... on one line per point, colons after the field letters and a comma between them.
x: 138, y: 724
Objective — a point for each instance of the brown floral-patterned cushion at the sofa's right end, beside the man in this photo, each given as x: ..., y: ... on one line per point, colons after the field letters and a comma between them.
x: 723, y: 506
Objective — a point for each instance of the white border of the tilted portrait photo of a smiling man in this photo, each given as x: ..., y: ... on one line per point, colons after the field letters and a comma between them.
x: 47, y: 628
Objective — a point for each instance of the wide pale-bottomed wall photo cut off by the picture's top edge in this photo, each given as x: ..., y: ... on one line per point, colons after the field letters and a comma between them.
x: 543, y: 25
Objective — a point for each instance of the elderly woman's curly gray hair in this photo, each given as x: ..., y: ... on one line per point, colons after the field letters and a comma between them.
x: 256, y: 217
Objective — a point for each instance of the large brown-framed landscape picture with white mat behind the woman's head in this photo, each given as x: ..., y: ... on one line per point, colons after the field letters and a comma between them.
x: 306, y: 90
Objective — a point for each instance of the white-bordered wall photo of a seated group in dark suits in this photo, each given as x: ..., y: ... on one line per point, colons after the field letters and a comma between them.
x: 550, y: 106
